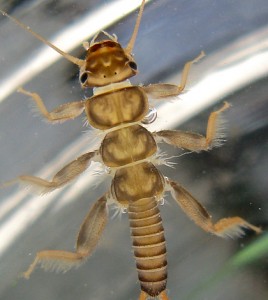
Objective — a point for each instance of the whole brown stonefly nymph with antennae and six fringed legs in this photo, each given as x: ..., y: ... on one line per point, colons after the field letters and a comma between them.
x: 130, y: 151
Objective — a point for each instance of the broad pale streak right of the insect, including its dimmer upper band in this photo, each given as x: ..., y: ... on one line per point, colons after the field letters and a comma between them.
x: 218, y: 75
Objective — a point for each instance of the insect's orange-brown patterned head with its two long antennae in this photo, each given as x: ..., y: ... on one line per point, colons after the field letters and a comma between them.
x: 106, y: 61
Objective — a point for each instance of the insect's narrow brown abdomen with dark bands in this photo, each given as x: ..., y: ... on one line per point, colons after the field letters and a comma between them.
x: 149, y: 245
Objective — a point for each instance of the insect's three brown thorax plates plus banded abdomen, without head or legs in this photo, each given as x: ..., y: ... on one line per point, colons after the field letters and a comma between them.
x: 136, y: 186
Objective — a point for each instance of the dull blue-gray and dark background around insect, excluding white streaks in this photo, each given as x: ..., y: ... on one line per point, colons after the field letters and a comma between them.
x: 229, y: 181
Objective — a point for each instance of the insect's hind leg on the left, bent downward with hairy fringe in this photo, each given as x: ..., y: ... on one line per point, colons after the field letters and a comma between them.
x: 88, y: 238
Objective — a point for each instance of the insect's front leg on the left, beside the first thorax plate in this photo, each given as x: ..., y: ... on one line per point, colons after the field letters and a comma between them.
x: 60, y: 114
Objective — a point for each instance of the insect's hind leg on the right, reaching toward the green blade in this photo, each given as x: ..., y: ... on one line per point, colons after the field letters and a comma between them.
x: 232, y: 227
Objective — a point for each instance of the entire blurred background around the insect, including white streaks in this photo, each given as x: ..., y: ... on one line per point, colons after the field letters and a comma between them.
x: 228, y: 181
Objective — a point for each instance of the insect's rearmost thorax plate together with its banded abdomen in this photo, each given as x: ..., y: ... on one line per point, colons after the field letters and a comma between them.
x: 139, y: 187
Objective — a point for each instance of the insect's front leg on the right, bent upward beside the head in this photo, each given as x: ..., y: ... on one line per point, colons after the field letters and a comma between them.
x: 162, y: 90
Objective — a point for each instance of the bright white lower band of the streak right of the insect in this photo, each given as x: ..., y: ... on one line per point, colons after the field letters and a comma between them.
x: 212, y: 88
